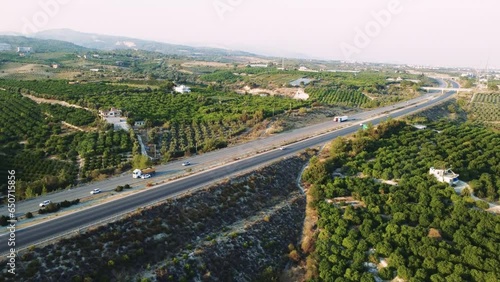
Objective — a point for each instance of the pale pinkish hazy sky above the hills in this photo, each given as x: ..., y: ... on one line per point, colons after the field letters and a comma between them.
x: 423, y: 32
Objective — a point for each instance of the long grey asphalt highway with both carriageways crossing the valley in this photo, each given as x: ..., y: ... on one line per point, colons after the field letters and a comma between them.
x: 31, y: 235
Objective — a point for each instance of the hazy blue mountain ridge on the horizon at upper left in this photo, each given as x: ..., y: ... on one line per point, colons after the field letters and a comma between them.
x: 108, y: 42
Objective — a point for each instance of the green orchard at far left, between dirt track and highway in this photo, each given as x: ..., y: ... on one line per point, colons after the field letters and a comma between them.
x: 45, y: 154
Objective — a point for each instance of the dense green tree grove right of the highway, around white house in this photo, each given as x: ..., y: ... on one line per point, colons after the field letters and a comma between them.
x: 421, y: 228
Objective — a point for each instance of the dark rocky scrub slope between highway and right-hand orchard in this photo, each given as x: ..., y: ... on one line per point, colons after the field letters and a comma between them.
x: 240, y: 230
